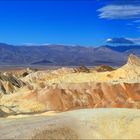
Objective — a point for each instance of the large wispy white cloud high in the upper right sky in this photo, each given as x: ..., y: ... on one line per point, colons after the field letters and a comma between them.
x: 119, y: 12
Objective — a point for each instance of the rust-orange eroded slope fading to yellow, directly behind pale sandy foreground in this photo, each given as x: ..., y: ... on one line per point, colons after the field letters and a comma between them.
x: 73, y: 96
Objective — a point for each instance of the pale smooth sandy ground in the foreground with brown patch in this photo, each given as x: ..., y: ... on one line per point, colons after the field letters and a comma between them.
x: 77, y: 124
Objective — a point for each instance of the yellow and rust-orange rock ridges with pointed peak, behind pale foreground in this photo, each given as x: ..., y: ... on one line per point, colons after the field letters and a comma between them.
x: 71, y: 88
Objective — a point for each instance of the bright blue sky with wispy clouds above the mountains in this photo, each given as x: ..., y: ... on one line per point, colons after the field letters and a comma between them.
x: 80, y: 22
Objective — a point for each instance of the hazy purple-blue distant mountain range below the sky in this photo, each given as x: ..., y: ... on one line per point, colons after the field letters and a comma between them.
x: 61, y: 55
